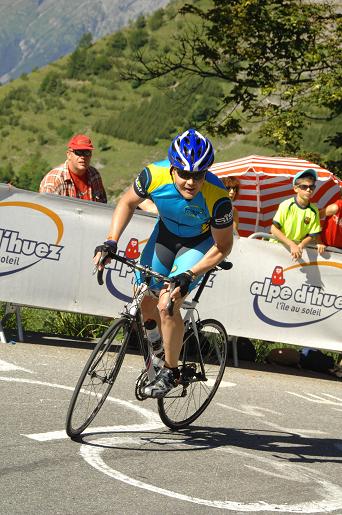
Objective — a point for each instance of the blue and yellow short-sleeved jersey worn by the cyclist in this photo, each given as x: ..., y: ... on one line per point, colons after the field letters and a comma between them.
x: 211, y: 207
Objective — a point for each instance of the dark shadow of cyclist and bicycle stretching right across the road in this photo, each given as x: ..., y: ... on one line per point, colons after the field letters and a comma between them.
x: 286, y: 446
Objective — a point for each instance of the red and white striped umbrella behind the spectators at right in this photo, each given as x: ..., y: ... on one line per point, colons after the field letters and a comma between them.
x: 267, y: 181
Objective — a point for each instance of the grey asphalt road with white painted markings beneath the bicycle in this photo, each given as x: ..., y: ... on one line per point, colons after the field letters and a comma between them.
x: 268, y: 443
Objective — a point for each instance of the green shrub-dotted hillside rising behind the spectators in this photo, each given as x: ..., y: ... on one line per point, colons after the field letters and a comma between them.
x: 130, y: 123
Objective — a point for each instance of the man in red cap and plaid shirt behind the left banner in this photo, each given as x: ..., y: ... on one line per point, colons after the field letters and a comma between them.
x: 76, y: 178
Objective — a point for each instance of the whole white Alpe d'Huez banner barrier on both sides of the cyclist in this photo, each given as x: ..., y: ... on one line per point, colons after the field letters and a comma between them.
x: 46, y: 248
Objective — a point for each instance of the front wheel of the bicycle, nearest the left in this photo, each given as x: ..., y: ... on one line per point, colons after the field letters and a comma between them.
x: 98, y: 377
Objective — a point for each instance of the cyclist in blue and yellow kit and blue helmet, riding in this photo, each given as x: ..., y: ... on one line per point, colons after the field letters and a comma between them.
x: 194, y: 233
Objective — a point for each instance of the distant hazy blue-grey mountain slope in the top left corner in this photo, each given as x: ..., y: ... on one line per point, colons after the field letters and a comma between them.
x: 35, y: 32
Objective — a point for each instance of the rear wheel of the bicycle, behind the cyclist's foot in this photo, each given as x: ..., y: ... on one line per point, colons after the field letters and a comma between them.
x: 203, y: 364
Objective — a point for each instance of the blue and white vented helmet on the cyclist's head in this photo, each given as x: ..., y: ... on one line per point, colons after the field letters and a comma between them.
x: 191, y: 152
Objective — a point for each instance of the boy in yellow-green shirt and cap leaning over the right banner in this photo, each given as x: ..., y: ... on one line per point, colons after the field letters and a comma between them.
x: 296, y: 222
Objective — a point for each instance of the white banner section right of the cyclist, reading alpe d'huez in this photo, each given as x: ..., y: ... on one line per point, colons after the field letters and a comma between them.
x: 268, y: 296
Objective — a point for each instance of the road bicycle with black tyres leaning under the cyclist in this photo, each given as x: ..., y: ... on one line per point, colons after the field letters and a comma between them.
x: 202, y: 361
